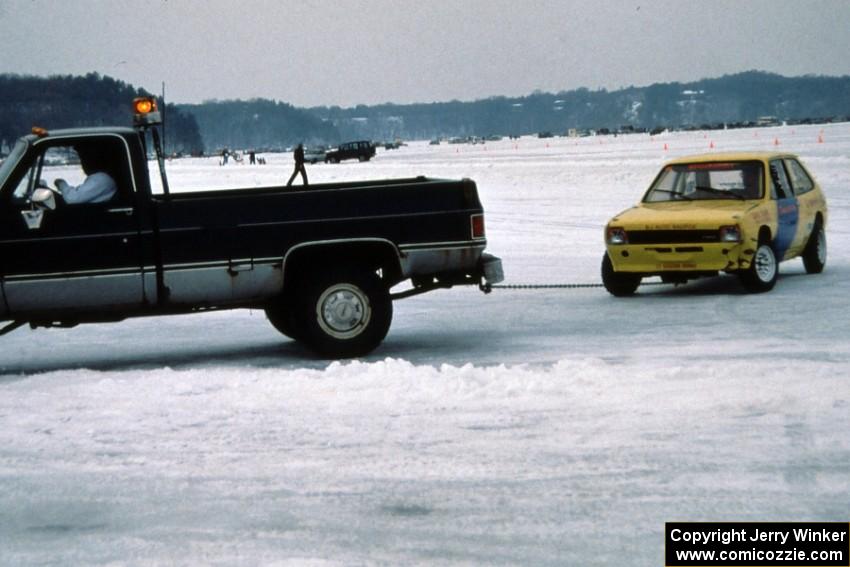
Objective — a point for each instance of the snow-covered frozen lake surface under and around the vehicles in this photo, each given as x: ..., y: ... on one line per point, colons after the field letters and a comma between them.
x: 527, y: 427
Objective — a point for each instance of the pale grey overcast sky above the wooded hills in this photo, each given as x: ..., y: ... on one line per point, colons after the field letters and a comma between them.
x: 348, y: 52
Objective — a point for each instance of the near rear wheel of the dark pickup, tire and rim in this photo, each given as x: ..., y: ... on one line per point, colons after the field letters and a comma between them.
x: 345, y: 313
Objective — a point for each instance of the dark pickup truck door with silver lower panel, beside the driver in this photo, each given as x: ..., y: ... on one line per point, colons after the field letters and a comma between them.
x: 73, y: 258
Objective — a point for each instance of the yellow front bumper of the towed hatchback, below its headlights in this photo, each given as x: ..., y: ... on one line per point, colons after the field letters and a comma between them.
x: 649, y: 259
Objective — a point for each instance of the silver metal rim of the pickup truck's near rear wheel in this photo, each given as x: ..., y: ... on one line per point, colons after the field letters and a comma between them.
x: 343, y: 311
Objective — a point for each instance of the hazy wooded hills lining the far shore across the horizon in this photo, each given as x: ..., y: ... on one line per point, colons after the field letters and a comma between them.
x: 260, y: 124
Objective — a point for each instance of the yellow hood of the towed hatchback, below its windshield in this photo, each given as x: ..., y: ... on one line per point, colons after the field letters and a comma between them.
x: 681, y: 215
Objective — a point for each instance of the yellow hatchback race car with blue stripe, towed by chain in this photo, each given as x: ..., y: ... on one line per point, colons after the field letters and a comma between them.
x: 740, y: 213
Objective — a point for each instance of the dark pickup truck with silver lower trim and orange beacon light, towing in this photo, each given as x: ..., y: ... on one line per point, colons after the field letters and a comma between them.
x: 320, y: 260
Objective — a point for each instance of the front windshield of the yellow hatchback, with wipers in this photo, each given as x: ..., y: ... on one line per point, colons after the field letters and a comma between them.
x: 707, y: 181
